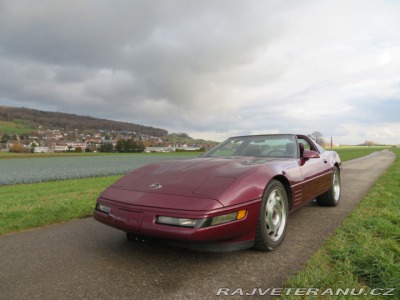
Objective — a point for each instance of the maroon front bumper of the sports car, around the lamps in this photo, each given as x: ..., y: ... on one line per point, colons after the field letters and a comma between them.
x: 141, y: 221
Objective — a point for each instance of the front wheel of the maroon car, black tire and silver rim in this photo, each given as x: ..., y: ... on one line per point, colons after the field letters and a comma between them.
x: 273, y: 217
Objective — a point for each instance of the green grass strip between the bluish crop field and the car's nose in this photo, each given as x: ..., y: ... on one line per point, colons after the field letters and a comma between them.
x: 26, y: 206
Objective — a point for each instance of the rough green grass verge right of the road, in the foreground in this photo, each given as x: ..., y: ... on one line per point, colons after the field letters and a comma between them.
x: 365, y: 251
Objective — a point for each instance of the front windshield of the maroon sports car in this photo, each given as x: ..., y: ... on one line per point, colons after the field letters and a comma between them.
x: 259, y: 146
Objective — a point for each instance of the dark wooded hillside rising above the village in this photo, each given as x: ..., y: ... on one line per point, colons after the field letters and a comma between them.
x: 28, y: 119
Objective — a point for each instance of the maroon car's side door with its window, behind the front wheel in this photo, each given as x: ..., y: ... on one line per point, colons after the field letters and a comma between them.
x: 316, y: 171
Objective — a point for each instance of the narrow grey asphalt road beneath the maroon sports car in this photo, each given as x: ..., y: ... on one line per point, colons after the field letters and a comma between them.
x: 83, y: 259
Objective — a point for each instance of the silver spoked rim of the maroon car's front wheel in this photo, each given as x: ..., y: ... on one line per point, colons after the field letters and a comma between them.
x: 275, y: 215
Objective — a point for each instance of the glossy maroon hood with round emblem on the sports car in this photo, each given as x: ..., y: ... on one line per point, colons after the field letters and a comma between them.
x: 201, y: 177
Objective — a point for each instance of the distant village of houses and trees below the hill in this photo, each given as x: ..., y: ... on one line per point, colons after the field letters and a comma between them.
x: 56, y: 140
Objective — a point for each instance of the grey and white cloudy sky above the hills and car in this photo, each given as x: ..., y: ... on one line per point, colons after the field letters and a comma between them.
x: 212, y: 69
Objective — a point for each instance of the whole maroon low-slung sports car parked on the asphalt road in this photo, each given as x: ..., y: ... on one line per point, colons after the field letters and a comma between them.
x: 235, y: 196
